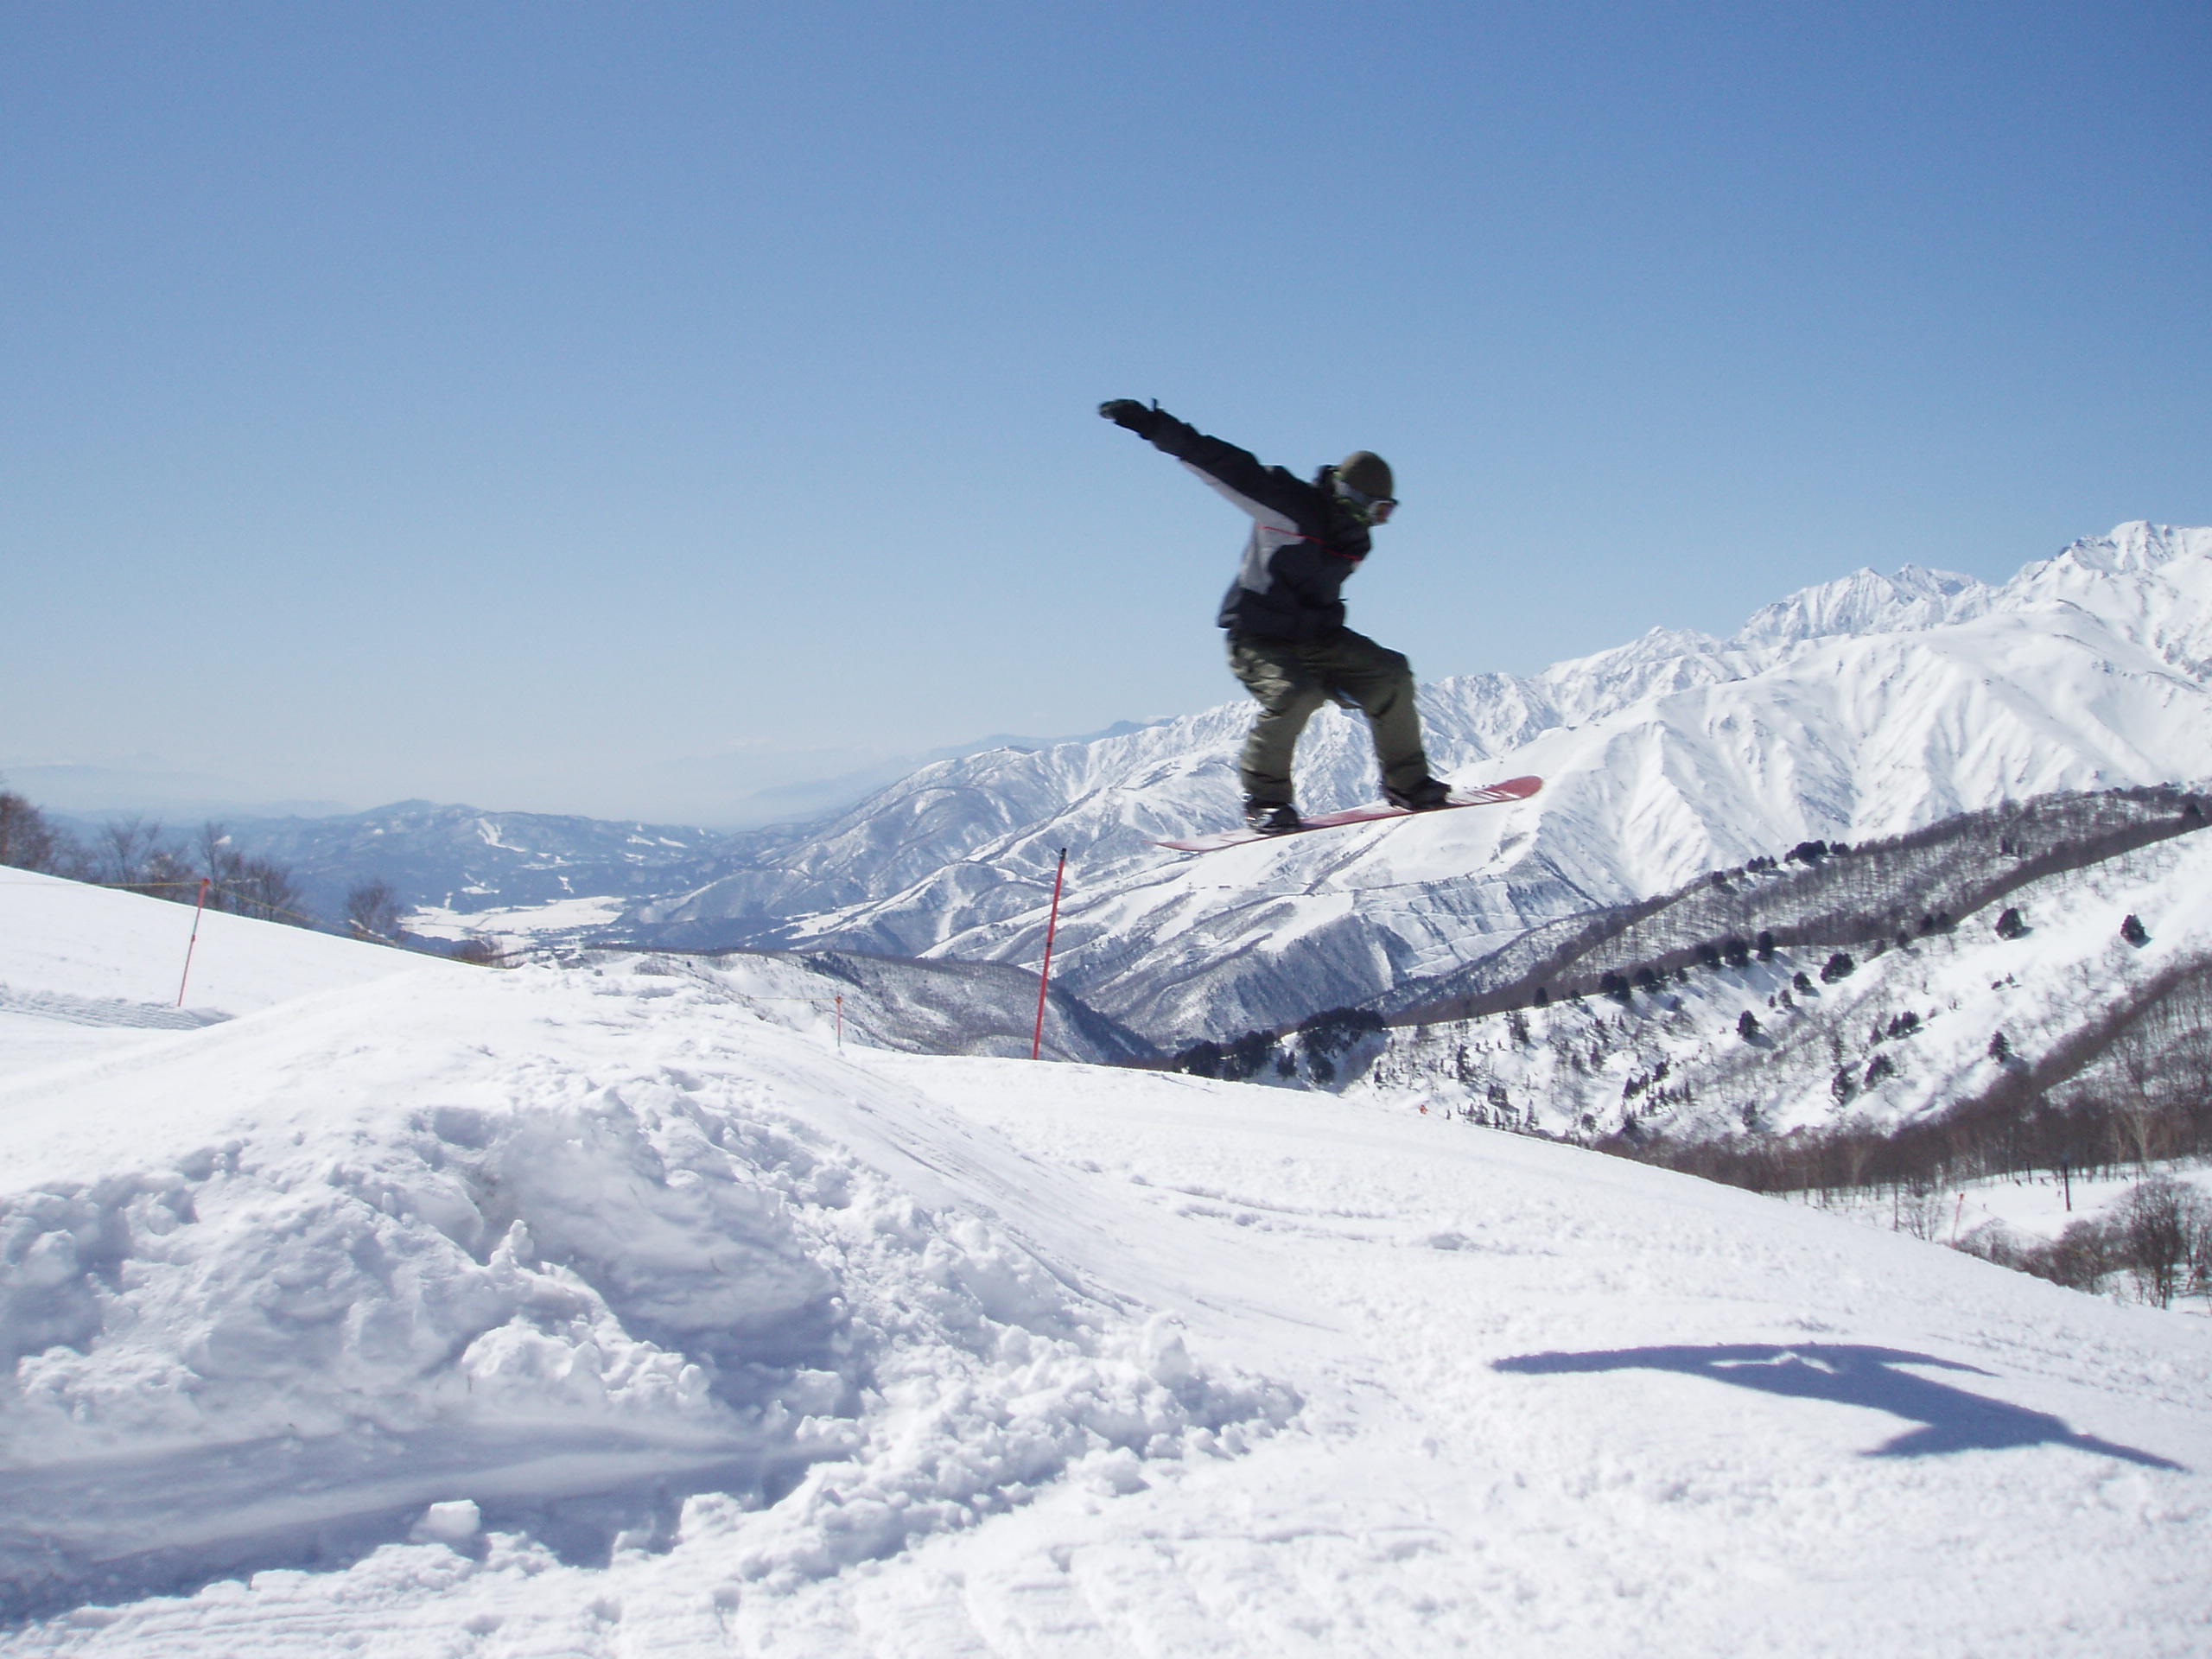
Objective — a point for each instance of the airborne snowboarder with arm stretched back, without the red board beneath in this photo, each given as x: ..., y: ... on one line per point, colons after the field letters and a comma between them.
x: 1284, y: 616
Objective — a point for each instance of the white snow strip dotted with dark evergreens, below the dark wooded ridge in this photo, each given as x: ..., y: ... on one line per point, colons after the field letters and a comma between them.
x: 1908, y: 1034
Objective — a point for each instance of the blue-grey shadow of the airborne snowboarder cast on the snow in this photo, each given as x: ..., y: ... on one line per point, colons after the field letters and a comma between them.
x: 1850, y: 1375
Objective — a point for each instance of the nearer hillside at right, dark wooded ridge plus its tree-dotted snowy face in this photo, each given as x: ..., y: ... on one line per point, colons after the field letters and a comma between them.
x: 2023, y: 961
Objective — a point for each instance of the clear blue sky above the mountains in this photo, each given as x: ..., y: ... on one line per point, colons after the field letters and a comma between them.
x: 514, y: 401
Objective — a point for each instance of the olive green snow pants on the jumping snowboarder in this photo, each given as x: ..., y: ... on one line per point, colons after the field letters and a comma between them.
x: 1291, y: 682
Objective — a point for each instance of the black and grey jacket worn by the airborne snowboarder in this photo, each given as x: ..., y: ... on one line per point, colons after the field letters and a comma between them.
x: 1304, y: 539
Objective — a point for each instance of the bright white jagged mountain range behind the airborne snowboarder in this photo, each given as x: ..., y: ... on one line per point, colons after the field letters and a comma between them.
x: 1855, y: 709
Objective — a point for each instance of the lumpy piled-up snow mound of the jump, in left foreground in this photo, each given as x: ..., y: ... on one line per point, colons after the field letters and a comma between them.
x: 532, y: 1240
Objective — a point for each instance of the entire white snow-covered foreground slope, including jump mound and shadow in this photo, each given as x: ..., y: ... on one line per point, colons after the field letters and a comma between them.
x: 585, y: 1313
